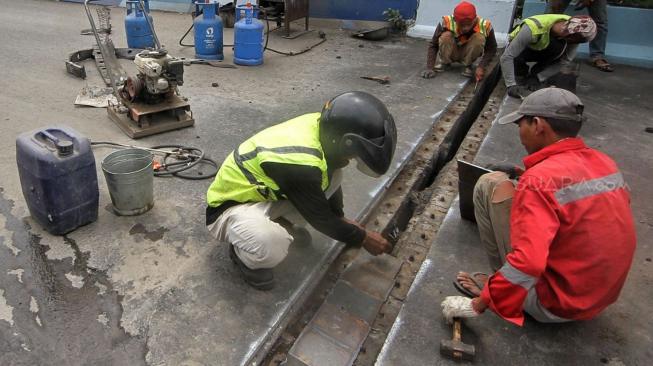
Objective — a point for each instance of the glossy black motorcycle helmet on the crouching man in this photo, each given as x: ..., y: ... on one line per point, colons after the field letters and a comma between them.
x: 358, y: 125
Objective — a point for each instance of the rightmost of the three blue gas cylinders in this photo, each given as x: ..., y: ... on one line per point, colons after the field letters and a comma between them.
x: 248, y: 39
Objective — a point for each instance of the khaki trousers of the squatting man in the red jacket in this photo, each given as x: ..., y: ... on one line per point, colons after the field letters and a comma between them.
x: 493, y: 220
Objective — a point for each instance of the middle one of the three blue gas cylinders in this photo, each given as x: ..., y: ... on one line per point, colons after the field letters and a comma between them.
x: 208, y: 32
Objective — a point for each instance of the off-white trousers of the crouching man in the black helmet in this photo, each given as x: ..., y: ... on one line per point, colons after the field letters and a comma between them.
x: 258, y: 240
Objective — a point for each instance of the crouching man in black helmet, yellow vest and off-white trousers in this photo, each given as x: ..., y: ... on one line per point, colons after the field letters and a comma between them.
x: 289, y: 174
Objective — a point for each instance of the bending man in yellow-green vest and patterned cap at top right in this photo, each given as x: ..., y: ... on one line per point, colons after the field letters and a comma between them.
x: 548, y: 40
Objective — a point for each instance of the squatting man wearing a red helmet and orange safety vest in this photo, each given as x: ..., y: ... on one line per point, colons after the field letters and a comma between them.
x: 461, y: 37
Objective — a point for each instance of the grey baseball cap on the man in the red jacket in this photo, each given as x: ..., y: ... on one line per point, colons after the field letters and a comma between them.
x: 550, y: 102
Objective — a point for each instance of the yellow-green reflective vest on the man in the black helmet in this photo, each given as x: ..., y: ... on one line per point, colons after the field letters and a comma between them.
x: 241, y: 177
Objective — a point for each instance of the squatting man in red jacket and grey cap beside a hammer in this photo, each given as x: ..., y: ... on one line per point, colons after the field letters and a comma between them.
x: 562, y: 241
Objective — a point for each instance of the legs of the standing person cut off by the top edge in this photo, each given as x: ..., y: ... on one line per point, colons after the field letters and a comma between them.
x: 598, y: 10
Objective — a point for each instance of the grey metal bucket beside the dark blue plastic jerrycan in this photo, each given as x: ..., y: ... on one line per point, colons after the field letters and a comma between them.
x: 130, y: 179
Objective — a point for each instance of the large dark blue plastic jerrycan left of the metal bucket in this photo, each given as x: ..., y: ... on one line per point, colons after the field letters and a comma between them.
x: 57, y: 174
